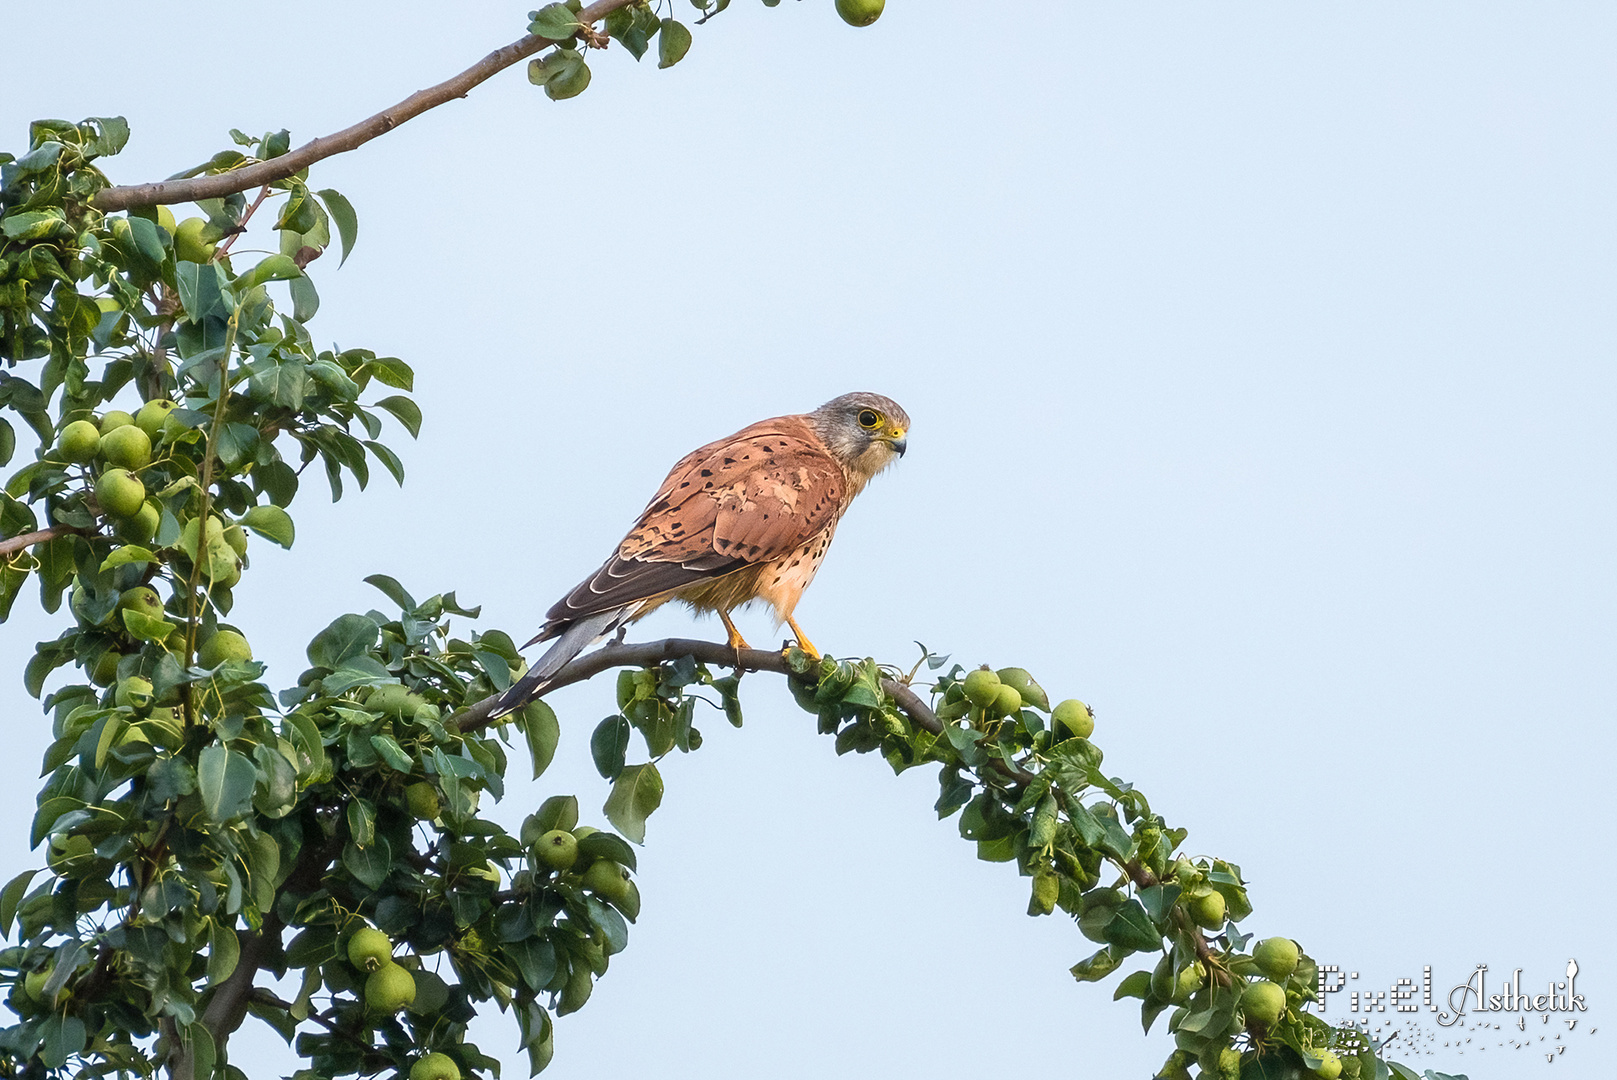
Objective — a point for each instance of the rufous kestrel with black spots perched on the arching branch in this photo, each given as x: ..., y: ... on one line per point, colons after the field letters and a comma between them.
x: 746, y: 518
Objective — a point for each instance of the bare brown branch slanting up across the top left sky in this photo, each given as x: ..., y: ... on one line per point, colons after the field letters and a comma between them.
x: 352, y: 138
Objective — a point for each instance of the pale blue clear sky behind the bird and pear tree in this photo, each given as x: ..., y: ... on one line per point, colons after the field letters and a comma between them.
x: 1262, y: 371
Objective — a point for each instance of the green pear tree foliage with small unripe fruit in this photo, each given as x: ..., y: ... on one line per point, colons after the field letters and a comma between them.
x: 201, y: 829
